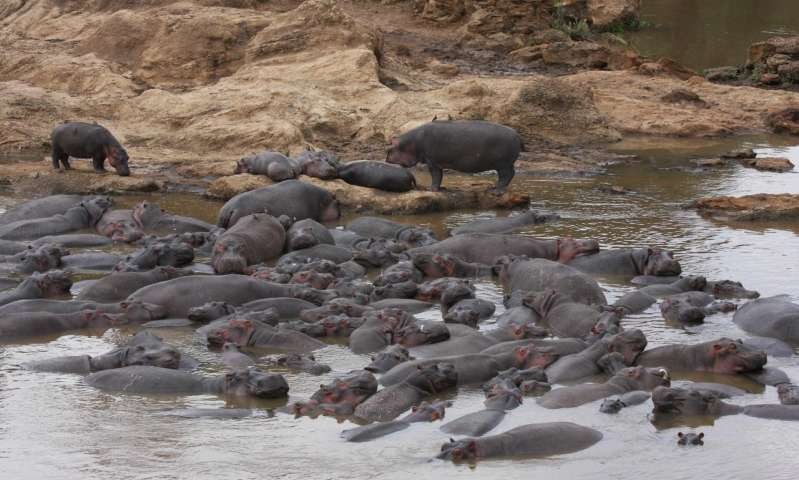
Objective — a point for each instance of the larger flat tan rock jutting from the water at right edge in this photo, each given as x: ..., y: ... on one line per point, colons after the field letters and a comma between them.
x: 750, y: 207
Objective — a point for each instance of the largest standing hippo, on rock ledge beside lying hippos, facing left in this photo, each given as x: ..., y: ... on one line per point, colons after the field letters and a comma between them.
x: 469, y: 146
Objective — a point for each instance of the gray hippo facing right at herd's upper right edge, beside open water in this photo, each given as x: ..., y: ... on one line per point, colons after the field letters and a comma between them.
x: 628, y: 262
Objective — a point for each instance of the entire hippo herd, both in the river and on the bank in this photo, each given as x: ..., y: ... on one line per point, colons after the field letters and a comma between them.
x: 279, y: 275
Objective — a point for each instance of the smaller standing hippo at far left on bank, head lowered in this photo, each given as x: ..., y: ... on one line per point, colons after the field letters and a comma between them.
x: 88, y: 140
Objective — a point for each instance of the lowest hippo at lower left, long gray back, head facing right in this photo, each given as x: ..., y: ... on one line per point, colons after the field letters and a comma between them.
x: 249, y: 382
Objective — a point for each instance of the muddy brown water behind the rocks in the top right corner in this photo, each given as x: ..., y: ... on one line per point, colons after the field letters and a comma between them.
x: 712, y: 33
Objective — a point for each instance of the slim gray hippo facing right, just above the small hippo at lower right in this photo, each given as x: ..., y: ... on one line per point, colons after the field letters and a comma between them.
x: 626, y: 380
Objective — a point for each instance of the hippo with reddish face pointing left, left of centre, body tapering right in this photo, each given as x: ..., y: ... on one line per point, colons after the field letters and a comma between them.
x: 252, y: 333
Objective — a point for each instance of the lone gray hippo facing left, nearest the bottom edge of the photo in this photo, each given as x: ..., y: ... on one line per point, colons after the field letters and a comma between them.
x: 529, y: 441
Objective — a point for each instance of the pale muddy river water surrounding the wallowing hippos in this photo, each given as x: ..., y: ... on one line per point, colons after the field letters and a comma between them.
x: 53, y: 426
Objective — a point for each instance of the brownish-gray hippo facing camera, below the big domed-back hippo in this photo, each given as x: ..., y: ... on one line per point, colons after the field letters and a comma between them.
x: 253, y: 239
